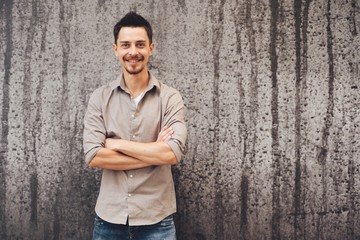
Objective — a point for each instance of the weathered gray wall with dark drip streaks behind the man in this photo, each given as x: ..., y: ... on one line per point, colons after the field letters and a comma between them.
x: 273, y: 113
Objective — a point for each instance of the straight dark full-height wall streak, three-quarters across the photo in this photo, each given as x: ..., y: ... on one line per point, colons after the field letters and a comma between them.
x: 276, y: 210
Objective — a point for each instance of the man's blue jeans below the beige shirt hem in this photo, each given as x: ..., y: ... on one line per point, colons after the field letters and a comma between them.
x: 163, y: 230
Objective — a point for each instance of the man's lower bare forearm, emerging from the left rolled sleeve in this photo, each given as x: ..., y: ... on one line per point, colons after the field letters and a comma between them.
x: 108, y: 159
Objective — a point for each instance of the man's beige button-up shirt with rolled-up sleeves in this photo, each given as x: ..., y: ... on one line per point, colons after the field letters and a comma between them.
x: 145, y: 195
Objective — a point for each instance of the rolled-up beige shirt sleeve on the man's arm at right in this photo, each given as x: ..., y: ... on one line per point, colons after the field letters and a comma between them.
x: 175, y: 118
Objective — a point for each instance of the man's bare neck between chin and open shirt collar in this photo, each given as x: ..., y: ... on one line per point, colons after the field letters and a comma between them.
x: 136, y: 83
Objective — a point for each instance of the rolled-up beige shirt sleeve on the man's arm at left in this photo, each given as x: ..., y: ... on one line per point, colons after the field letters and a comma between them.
x: 94, y: 128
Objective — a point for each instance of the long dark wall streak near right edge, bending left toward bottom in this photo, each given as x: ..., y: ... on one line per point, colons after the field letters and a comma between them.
x: 323, y: 152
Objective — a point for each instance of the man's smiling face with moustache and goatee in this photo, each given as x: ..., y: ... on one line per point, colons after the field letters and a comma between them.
x: 133, y: 49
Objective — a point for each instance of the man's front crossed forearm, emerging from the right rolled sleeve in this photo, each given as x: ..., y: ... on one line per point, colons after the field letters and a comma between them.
x: 154, y: 153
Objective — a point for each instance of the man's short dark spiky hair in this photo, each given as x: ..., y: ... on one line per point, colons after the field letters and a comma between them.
x: 132, y: 19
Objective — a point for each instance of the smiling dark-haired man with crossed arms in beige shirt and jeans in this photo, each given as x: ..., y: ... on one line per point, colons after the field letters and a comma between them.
x: 134, y: 130
